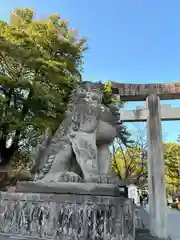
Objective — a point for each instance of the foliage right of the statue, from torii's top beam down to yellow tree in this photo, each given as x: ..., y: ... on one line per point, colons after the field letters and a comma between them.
x: 128, y: 158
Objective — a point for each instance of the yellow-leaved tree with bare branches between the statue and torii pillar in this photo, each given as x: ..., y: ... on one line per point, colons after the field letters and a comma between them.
x: 130, y: 161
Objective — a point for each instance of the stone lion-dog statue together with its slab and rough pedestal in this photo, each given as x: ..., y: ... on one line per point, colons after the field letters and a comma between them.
x: 74, y: 196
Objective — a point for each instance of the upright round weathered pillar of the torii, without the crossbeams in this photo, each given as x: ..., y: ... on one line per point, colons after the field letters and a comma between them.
x: 156, y: 175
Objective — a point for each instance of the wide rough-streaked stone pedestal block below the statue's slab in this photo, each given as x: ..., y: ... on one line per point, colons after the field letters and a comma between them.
x: 66, y: 216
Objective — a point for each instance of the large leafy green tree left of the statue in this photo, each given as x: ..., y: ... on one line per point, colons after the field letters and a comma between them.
x: 40, y: 64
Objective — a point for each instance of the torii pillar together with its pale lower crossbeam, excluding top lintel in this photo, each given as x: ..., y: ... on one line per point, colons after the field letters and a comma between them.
x: 153, y: 113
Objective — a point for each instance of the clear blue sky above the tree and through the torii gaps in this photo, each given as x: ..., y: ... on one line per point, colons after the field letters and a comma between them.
x: 133, y: 41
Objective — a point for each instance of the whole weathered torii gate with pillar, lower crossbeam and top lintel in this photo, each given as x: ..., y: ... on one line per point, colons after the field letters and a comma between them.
x: 152, y: 93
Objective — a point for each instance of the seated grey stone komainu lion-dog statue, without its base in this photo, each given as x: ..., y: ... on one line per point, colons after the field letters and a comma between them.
x: 79, y: 148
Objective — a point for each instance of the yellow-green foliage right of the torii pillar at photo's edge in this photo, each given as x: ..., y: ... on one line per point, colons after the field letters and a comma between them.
x: 172, y: 166
